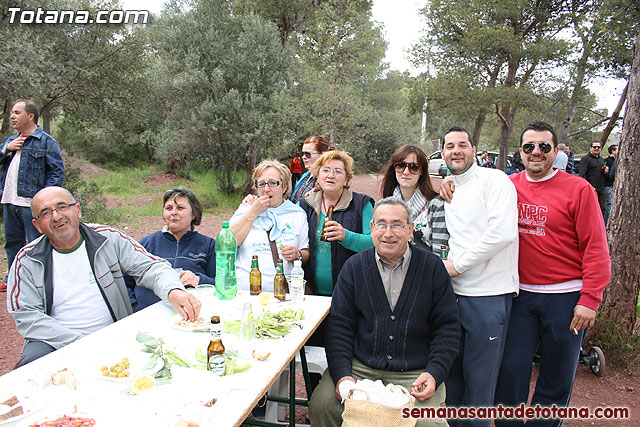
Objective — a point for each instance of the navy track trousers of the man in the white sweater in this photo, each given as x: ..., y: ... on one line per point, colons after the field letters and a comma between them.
x: 473, y: 376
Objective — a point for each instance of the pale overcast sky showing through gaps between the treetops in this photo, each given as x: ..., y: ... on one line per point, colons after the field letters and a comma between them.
x: 402, y: 26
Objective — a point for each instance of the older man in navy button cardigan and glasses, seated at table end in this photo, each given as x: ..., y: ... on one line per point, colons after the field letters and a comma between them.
x: 393, y: 318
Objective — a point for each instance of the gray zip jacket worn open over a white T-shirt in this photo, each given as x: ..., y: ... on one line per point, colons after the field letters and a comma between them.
x: 111, y: 253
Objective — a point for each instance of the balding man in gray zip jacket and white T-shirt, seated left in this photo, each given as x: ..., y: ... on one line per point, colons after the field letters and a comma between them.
x: 68, y: 283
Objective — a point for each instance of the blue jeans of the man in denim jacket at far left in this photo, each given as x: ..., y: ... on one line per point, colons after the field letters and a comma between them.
x: 18, y: 230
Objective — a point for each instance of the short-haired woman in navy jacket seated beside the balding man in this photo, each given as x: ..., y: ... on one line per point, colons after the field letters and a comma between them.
x: 192, y: 253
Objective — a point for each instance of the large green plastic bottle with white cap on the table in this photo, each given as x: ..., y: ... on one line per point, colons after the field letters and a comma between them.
x: 226, y: 284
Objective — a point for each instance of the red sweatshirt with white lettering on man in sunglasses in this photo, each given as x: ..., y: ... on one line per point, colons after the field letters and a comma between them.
x: 562, y: 235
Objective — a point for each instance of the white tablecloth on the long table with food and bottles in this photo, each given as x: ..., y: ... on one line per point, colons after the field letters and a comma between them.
x: 103, y: 400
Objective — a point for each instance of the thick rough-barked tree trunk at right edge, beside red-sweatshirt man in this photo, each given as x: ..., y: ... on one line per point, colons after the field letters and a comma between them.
x: 621, y: 296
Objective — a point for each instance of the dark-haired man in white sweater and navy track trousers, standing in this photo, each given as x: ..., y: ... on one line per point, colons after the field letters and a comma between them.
x: 482, y: 220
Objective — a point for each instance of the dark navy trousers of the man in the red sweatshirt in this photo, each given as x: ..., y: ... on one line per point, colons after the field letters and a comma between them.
x: 539, y: 320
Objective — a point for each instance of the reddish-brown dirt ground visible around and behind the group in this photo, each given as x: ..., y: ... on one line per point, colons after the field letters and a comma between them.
x: 615, y: 389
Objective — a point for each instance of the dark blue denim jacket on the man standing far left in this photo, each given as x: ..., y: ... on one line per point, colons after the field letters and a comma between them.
x: 40, y: 163
